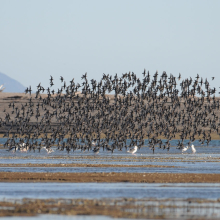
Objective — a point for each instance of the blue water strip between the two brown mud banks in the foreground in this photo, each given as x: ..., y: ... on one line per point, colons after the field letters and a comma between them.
x: 108, y: 190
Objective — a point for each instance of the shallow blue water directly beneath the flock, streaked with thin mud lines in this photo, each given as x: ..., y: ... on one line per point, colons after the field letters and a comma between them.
x: 201, y: 162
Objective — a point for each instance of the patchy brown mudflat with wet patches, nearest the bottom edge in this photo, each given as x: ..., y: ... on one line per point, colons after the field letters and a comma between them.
x: 116, y: 208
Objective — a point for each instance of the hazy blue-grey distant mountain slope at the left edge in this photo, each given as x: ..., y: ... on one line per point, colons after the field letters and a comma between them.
x: 11, y: 85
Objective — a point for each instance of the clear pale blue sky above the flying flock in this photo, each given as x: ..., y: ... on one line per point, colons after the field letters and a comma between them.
x: 43, y: 38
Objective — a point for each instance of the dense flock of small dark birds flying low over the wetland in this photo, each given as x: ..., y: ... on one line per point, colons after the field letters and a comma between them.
x: 104, y: 114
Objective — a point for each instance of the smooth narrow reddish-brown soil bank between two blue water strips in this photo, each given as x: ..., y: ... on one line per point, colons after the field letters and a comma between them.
x: 110, y: 177
